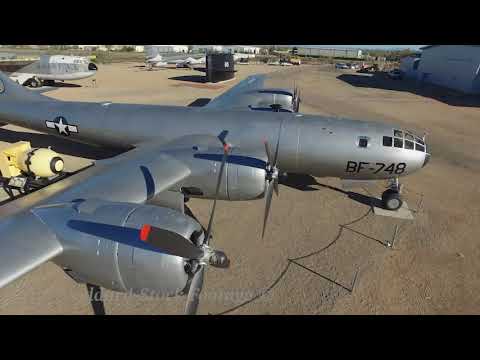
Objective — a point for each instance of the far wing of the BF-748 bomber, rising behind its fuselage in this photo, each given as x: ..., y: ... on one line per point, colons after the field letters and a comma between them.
x: 234, y: 98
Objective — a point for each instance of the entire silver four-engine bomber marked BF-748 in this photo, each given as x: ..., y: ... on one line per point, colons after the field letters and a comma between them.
x: 122, y: 223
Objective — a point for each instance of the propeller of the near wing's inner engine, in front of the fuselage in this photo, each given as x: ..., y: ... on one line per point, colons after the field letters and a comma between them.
x: 271, y: 177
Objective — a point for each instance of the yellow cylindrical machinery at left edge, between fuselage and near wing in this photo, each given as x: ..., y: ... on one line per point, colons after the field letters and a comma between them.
x: 19, y: 159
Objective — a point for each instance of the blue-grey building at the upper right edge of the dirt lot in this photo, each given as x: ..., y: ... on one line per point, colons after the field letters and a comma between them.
x: 452, y: 66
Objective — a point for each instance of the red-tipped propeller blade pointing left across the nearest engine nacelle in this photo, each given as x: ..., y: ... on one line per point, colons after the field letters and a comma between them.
x: 170, y: 242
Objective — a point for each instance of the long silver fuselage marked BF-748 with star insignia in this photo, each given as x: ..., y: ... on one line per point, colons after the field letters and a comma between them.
x: 315, y: 145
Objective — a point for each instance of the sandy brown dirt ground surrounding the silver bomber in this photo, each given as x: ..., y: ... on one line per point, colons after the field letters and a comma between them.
x: 324, y: 252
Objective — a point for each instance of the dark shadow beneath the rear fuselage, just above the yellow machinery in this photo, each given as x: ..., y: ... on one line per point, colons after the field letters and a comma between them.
x: 59, y: 145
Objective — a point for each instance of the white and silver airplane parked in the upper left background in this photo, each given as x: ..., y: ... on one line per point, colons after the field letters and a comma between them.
x: 51, y: 68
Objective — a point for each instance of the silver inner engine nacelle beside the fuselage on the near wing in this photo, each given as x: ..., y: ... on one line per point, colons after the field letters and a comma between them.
x: 243, y: 178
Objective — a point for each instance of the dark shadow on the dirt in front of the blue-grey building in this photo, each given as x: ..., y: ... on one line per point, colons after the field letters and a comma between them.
x: 380, y: 80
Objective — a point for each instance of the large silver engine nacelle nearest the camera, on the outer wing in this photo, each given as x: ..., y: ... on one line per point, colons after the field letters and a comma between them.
x: 84, y: 229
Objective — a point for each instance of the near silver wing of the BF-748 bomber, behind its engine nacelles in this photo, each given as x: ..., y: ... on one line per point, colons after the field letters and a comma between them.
x: 27, y: 242
